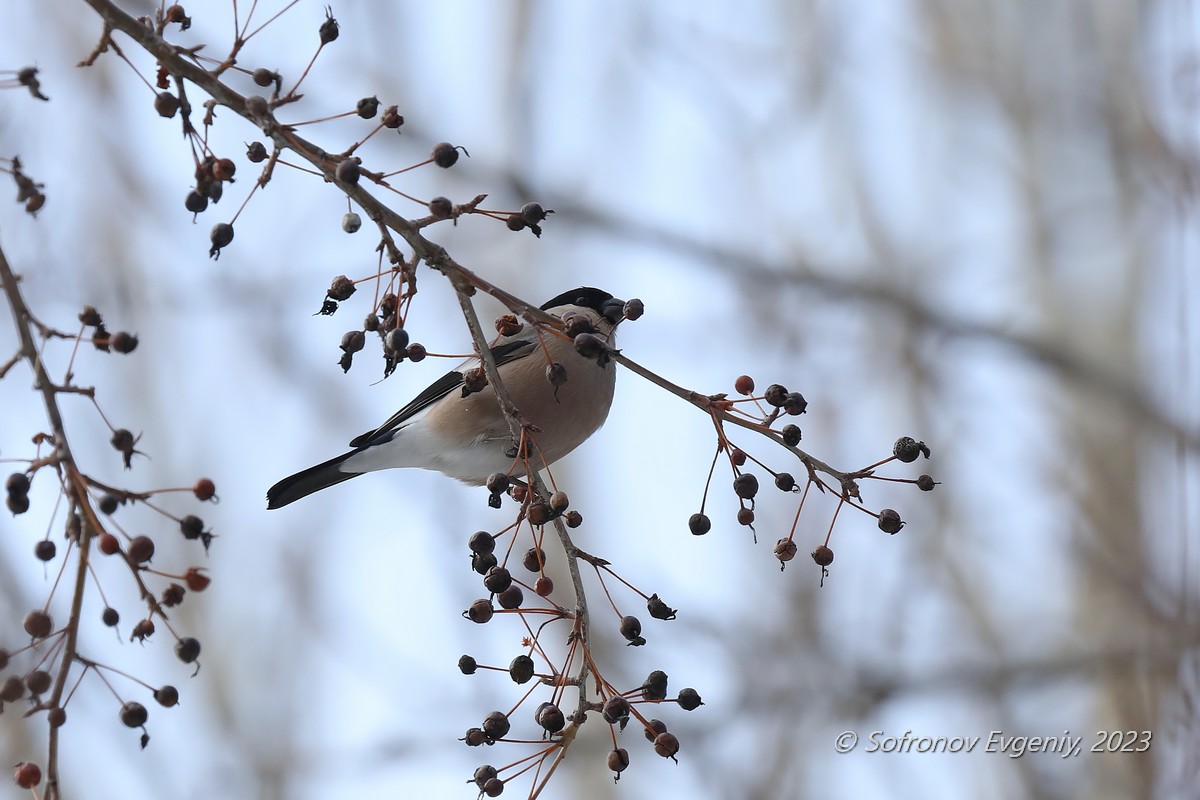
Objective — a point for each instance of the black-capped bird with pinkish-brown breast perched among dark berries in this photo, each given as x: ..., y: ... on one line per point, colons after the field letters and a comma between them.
x: 465, y: 435
